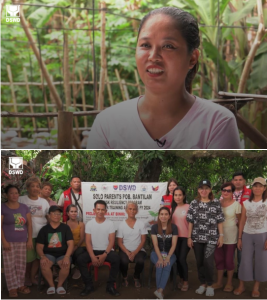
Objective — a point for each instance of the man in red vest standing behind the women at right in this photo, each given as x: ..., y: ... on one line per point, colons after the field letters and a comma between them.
x: 241, y: 194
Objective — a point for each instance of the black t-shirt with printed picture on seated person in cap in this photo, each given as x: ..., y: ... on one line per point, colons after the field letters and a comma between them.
x: 55, y: 239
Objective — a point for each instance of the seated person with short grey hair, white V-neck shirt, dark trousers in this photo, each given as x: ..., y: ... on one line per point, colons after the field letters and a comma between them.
x: 131, y: 236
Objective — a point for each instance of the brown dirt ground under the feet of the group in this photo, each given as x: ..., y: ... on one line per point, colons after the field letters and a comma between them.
x: 130, y: 292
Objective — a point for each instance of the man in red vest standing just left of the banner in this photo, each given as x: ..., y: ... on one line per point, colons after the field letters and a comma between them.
x: 73, y: 195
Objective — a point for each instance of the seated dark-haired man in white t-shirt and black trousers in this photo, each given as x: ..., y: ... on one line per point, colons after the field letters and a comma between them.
x: 99, y: 239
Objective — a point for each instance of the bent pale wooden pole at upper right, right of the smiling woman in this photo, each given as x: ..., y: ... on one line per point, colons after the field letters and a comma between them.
x: 247, y: 67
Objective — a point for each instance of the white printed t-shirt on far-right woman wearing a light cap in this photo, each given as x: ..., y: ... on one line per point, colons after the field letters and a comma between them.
x: 256, y: 213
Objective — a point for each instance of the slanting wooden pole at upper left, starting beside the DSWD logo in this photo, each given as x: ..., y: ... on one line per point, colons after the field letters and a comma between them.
x: 51, y: 87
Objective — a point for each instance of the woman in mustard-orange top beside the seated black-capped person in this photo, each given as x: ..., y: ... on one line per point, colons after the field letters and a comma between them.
x: 78, y: 232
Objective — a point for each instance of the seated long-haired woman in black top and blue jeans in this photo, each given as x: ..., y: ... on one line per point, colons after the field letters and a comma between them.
x: 164, y: 238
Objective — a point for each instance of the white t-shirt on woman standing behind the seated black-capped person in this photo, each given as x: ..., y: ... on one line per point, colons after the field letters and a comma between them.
x: 39, y: 209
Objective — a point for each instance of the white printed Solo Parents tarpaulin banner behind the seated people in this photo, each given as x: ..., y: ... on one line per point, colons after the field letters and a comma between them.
x: 118, y: 194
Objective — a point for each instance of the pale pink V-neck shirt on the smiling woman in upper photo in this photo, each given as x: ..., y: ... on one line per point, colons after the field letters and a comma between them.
x: 206, y: 125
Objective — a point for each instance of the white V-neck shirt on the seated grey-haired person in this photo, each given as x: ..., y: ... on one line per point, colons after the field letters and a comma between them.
x: 131, y: 236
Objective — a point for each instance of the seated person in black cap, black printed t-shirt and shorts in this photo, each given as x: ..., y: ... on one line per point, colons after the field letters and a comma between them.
x: 54, y: 244
